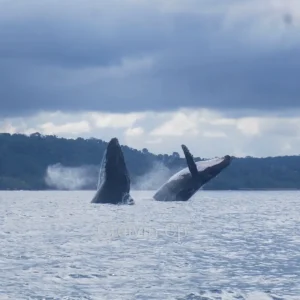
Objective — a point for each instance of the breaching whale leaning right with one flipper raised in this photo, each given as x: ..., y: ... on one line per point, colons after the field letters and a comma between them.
x: 184, y: 184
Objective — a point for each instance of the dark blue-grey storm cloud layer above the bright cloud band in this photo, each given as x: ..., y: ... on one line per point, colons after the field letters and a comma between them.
x: 89, y: 55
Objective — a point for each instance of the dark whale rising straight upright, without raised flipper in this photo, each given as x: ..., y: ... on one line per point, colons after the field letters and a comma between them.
x: 114, y: 180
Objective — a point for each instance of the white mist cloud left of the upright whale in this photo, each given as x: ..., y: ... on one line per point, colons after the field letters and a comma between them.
x: 69, y: 178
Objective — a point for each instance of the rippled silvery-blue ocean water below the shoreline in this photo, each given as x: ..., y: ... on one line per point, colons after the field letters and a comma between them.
x: 224, y: 245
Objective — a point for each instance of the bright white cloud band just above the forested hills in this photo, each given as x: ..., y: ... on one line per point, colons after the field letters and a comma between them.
x: 207, y: 133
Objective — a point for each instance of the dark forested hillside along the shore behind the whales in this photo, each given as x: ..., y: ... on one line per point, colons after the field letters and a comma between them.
x: 39, y: 162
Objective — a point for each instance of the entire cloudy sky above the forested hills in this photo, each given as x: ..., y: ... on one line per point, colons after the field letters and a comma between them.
x: 219, y: 76
